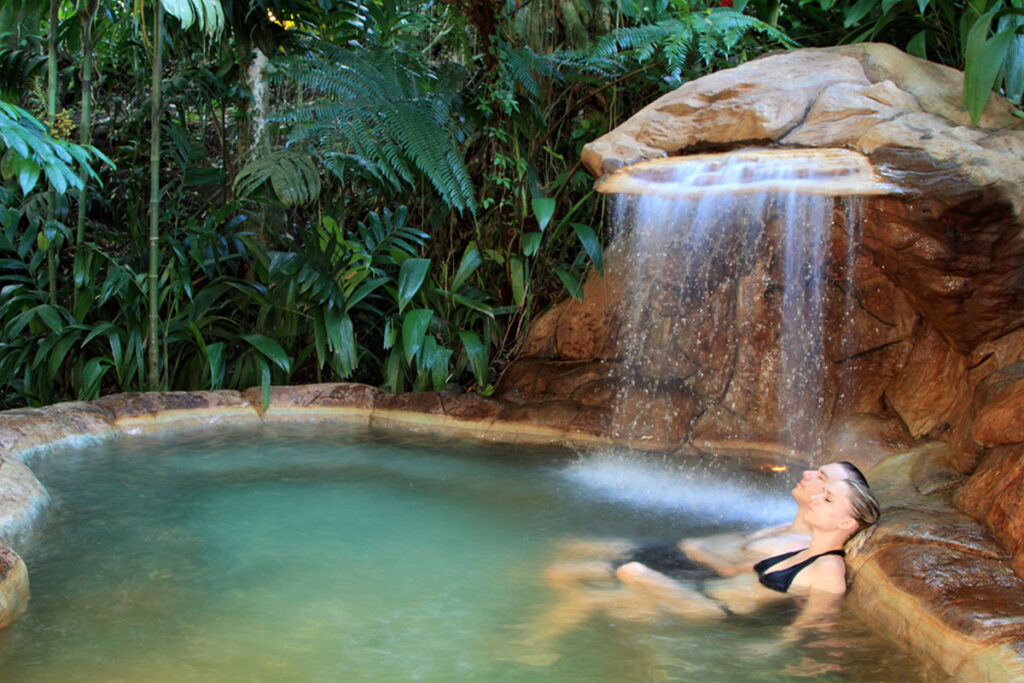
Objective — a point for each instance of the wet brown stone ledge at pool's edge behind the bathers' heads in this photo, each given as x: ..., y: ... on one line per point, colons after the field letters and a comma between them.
x: 936, y: 580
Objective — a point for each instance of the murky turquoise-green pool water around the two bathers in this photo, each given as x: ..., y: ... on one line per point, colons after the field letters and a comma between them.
x: 309, y: 553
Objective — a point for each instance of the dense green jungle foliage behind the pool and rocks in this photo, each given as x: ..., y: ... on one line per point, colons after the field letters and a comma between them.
x: 225, y: 194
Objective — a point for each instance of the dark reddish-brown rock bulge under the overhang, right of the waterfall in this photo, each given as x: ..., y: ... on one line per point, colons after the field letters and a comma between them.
x: 956, y: 250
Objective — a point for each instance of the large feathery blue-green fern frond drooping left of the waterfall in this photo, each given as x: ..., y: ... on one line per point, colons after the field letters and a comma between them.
x: 380, y: 117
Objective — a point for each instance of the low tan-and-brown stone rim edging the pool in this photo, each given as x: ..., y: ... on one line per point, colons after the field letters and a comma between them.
x: 928, y: 577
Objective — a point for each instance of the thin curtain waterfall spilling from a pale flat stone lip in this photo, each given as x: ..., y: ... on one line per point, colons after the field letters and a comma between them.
x: 727, y: 265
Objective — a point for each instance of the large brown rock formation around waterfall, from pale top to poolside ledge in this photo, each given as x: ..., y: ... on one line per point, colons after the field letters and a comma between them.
x: 937, y: 351
